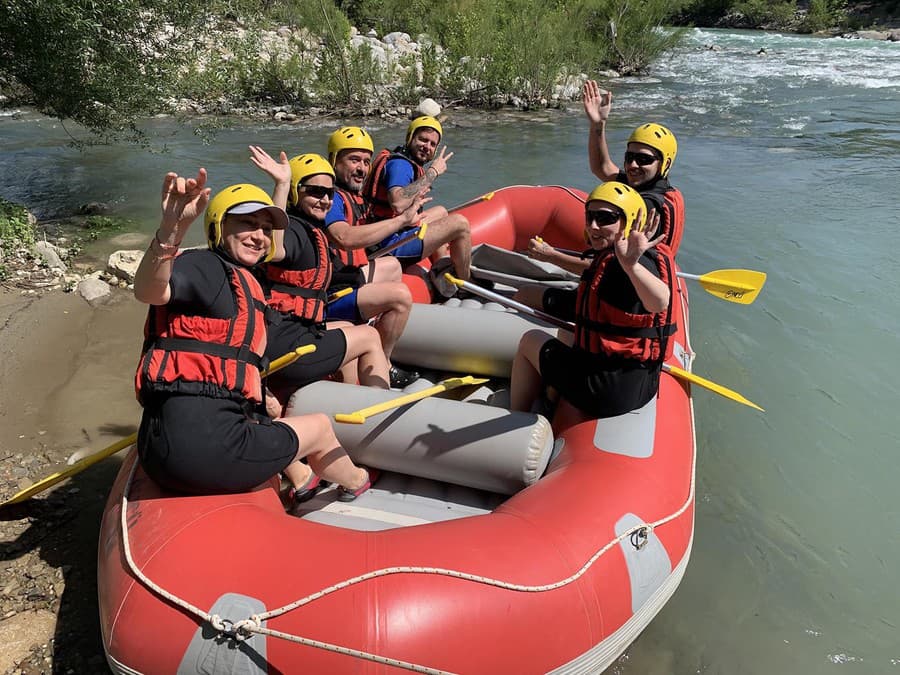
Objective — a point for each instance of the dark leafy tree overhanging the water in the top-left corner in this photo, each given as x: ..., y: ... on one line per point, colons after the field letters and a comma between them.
x: 102, y: 63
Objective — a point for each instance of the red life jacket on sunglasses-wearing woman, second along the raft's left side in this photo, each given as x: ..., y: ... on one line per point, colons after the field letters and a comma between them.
x: 302, y: 293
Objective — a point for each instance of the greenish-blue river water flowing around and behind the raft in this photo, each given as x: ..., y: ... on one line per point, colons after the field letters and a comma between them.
x: 787, y: 158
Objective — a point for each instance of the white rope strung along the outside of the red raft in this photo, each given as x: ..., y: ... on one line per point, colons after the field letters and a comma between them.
x: 243, y: 629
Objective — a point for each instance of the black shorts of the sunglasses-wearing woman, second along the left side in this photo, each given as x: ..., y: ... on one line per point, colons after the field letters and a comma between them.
x: 284, y: 337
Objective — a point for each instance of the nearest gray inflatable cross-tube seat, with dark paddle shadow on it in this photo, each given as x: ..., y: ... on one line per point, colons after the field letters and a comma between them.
x: 468, y: 444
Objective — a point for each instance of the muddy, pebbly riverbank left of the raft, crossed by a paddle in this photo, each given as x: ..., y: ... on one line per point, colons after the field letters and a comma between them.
x: 67, y: 367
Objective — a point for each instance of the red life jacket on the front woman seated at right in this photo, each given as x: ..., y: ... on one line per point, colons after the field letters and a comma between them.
x: 606, y: 330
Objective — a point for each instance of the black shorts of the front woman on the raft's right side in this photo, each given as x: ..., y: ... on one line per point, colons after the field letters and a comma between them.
x: 597, y: 389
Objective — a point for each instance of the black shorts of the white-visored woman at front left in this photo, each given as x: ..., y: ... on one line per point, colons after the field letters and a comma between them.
x: 203, y: 445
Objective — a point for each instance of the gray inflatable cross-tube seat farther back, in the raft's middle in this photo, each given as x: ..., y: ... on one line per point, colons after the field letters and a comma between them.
x: 466, y: 338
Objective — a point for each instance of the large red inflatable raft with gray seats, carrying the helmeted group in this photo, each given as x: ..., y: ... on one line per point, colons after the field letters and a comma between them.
x: 491, y: 544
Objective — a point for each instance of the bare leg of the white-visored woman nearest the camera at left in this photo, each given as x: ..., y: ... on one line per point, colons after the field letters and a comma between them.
x: 326, y: 456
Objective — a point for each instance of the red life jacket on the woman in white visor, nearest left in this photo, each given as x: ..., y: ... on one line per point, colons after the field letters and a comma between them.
x: 199, y: 355
